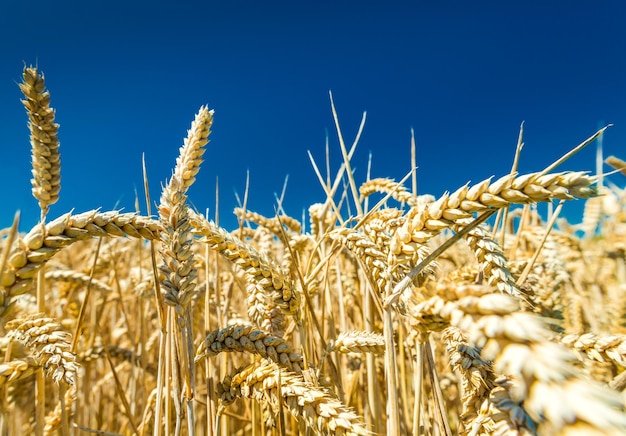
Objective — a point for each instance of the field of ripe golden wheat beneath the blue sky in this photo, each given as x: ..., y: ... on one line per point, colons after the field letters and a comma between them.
x: 386, y: 312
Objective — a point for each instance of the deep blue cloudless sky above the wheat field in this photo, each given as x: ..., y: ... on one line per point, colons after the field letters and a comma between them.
x: 126, y: 78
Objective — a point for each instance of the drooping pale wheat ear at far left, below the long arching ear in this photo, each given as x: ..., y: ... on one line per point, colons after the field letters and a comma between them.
x: 49, y: 344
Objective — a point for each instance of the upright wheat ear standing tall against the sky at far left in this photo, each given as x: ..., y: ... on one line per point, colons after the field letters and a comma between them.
x: 46, y: 159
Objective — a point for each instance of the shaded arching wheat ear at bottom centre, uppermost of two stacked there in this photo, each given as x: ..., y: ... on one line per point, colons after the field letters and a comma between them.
x: 250, y: 339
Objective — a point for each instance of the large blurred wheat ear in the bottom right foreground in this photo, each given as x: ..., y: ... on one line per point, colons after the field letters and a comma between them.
x: 518, y: 345
